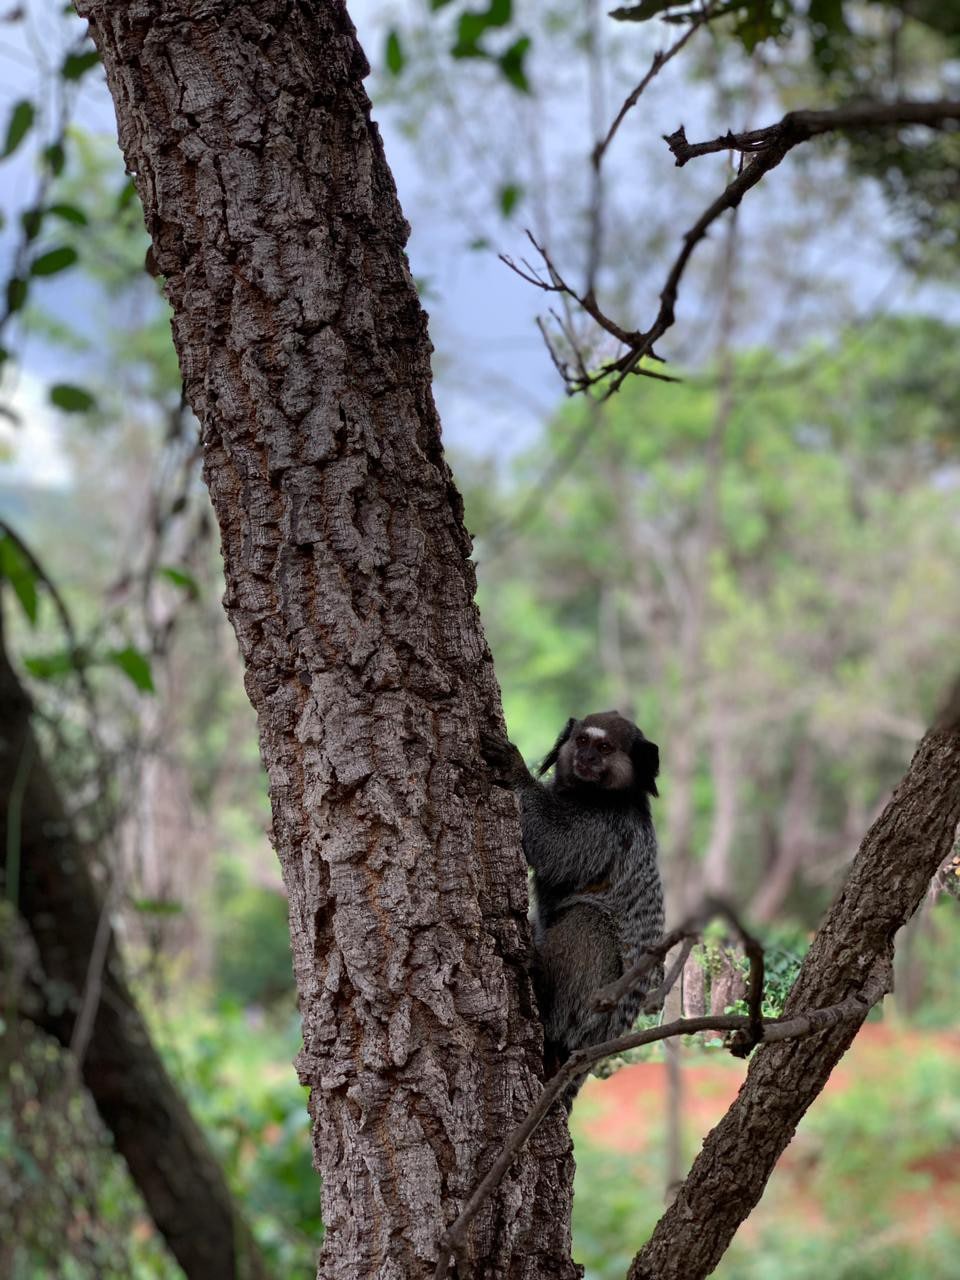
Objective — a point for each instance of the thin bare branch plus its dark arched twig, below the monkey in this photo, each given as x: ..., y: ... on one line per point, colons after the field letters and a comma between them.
x: 746, y: 1032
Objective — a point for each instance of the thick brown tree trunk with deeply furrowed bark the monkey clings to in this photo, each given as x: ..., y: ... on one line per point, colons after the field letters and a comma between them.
x: 307, y: 359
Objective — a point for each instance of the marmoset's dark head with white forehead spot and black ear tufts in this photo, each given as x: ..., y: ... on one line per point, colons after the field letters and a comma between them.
x: 609, y: 753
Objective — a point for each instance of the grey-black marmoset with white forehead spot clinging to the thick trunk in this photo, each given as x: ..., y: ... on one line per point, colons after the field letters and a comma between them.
x: 589, y: 838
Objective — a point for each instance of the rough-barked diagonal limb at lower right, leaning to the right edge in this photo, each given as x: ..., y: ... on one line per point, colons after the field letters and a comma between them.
x: 886, y: 884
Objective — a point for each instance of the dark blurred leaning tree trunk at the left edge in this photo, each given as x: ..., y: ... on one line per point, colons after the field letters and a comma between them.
x: 168, y: 1158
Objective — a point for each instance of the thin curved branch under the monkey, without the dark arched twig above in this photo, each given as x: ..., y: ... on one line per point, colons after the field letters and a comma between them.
x: 779, y: 1030
